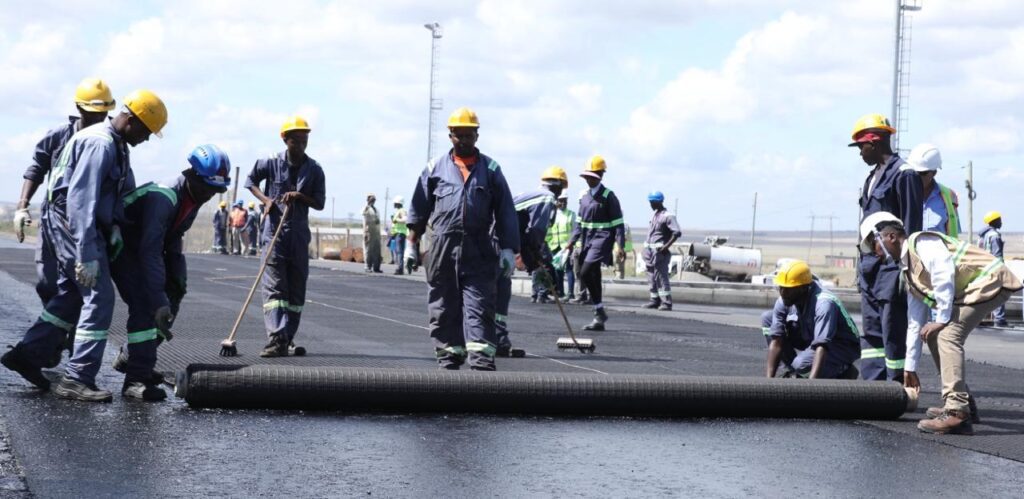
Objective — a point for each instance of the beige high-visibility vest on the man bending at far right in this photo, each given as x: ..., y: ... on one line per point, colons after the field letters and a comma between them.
x: 978, y: 277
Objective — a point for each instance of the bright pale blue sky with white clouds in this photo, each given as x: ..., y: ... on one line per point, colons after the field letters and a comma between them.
x: 709, y: 101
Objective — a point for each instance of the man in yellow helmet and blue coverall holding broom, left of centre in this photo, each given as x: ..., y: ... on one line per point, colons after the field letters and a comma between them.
x: 296, y: 180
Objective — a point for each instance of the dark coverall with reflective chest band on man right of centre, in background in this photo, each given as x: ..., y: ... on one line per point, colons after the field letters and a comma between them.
x: 601, y: 227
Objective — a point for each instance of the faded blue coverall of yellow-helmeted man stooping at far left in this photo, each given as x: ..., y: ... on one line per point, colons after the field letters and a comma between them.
x: 87, y: 187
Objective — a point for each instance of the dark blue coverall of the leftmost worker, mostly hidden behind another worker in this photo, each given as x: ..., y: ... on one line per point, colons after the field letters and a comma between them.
x: 48, y: 153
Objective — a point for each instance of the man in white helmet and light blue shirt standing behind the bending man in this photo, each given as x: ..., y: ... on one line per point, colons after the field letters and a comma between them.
x: 940, y: 215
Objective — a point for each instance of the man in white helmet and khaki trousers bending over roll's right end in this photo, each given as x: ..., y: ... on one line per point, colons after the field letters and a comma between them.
x: 962, y: 285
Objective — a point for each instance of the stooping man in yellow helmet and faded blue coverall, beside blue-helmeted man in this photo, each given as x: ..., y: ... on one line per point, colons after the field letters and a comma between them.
x: 87, y: 188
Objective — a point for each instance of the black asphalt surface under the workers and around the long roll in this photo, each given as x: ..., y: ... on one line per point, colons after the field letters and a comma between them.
x: 129, y: 449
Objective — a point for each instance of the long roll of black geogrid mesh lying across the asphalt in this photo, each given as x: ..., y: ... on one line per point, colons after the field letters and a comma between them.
x: 401, y: 391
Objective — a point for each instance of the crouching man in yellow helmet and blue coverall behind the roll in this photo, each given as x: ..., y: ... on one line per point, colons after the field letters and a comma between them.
x: 809, y: 330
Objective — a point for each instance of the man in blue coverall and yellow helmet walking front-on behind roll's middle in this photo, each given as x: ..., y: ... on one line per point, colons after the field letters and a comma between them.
x: 461, y: 195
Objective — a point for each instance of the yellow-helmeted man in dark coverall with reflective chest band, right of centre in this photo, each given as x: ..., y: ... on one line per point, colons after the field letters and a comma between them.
x: 601, y: 227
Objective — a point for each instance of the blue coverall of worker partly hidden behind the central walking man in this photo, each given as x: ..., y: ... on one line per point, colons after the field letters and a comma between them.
x: 536, y: 213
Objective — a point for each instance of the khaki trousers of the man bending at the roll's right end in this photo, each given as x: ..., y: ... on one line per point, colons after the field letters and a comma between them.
x: 948, y: 350
